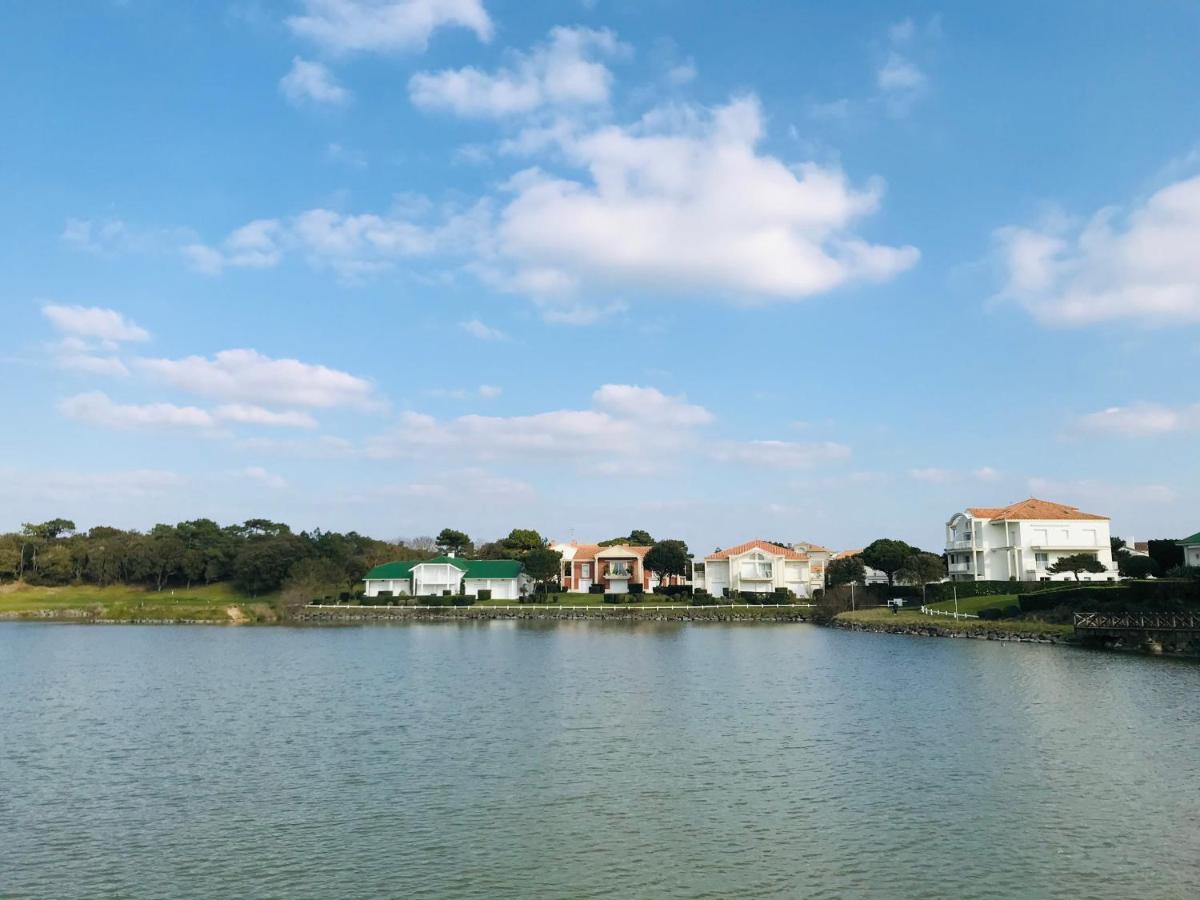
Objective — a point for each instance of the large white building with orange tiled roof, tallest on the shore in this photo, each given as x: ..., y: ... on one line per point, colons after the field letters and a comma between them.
x: 1022, y: 542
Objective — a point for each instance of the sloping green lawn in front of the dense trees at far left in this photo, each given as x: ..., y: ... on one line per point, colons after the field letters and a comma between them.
x: 214, y: 603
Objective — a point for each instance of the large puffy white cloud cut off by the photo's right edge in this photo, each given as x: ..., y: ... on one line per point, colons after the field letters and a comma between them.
x: 1143, y: 266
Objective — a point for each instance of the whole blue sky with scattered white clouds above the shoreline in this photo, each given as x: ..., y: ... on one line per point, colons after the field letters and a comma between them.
x: 803, y: 272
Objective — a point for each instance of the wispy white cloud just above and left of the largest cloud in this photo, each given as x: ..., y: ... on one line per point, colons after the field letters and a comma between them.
x: 561, y: 73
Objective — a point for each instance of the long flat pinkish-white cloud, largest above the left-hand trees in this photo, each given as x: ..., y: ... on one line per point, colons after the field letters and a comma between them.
x: 248, y: 376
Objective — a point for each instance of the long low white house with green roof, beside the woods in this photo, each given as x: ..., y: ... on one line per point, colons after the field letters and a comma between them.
x: 430, y: 578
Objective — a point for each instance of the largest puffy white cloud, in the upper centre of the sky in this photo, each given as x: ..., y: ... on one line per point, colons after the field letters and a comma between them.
x: 687, y: 203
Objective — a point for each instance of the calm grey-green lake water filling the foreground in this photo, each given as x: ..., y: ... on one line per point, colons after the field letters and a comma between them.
x: 590, y: 760
